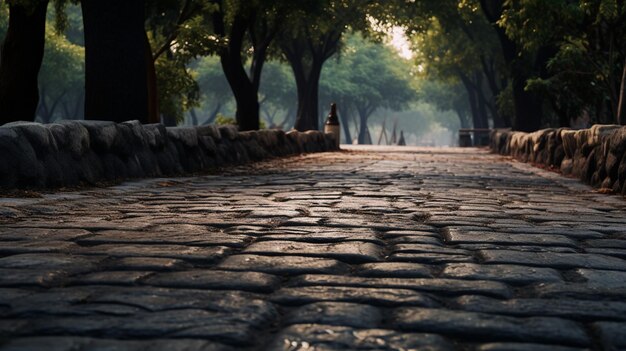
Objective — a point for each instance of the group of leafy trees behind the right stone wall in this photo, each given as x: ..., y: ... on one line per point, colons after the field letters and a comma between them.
x: 523, y: 63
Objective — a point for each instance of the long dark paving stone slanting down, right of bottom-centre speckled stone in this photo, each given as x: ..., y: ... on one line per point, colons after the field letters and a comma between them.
x: 488, y: 327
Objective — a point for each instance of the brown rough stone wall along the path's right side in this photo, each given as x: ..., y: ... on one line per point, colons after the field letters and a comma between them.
x: 596, y: 155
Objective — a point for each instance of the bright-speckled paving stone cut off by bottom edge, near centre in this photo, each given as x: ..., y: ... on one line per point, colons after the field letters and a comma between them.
x: 328, y: 337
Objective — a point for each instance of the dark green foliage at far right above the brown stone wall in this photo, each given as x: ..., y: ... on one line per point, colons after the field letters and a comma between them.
x: 586, y: 41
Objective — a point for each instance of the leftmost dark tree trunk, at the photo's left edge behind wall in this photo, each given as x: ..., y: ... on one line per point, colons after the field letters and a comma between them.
x: 20, y: 61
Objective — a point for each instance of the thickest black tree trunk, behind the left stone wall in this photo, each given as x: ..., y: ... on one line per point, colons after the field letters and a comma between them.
x: 116, y: 84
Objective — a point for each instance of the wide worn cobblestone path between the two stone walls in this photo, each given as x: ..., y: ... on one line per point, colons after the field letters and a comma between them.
x: 385, y: 249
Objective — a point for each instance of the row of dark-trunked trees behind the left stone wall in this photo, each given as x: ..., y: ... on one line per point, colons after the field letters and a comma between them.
x: 126, y: 42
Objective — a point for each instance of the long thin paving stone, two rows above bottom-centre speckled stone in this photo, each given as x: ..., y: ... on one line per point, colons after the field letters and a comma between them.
x: 372, y: 296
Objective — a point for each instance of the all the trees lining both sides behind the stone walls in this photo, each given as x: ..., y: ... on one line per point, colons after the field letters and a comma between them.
x: 520, y: 63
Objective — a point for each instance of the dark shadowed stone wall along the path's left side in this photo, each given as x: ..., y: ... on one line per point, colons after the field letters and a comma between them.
x: 77, y: 152
